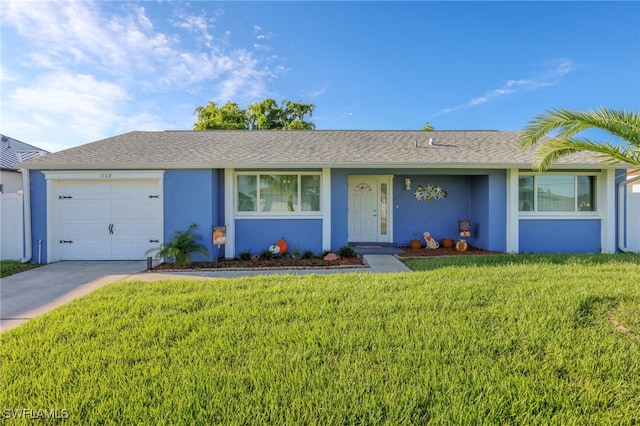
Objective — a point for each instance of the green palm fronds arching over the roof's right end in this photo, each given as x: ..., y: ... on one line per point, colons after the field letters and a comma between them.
x: 562, y: 126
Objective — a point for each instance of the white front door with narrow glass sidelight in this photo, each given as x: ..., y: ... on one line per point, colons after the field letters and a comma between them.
x: 369, y: 208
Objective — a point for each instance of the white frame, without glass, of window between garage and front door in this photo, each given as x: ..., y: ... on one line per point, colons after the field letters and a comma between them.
x: 277, y: 214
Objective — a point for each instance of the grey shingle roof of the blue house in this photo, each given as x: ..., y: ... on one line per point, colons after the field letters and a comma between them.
x: 312, y: 148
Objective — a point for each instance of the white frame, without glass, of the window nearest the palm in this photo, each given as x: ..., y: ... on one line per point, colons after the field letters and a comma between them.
x: 576, y: 212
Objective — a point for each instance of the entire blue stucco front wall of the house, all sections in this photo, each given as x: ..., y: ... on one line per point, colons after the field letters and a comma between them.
x: 478, y: 195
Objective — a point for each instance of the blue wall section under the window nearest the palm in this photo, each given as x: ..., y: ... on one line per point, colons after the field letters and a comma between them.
x: 560, y: 236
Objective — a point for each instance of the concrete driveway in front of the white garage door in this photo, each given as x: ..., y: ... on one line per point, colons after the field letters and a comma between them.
x: 31, y: 293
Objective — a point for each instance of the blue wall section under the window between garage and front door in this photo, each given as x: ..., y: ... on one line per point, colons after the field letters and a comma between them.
x: 255, y: 235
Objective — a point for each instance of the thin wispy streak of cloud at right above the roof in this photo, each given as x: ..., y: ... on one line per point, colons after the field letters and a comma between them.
x: 550, y: 75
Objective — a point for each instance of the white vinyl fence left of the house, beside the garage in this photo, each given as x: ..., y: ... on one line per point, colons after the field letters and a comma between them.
x: 11, y: 226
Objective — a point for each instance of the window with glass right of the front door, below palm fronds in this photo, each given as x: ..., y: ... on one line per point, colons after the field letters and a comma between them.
x: 556, y: 193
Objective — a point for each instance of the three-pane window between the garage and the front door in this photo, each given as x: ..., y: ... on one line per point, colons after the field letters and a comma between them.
x: 278, y: 193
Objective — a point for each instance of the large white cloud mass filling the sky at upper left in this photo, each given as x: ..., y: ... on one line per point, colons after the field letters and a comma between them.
x: 85, y: 69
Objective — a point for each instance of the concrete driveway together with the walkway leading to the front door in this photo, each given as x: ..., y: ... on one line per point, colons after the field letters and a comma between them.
x: 31, y: 293
